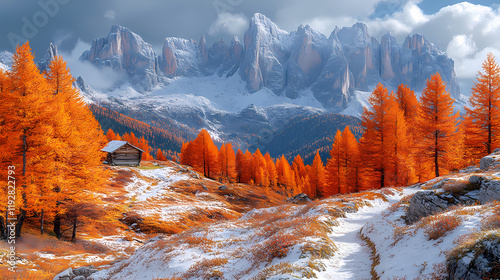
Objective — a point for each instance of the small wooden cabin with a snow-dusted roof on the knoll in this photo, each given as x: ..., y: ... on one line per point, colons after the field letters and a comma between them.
x: 122, y: 153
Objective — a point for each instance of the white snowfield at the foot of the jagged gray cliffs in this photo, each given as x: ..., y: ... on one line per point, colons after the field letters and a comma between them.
x: 214, y: 92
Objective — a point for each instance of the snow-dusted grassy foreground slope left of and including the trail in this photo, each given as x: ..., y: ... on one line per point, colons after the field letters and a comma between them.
x: 239, y: 249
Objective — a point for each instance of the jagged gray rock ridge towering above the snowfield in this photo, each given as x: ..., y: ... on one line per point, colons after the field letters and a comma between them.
x: 286, y: 63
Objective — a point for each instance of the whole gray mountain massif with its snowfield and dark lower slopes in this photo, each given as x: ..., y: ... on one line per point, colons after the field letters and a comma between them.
x: 253, y: 90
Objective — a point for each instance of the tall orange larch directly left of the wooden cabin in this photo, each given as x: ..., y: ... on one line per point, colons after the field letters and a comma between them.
x: 82, y: 138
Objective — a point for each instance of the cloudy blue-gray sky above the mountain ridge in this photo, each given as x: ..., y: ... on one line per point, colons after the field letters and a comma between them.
x: 466, y: 30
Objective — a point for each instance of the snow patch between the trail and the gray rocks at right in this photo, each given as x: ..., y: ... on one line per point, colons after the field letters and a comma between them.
x: 407, y: 251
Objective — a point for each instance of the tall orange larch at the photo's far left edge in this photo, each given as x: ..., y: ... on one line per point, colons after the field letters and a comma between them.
x: 30, y: 124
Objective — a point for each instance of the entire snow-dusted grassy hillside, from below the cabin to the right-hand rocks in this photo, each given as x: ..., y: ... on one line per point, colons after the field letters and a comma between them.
x: 203, y: 229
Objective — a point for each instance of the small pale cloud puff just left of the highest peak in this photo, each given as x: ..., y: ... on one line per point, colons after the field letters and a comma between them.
x: 227, y: 23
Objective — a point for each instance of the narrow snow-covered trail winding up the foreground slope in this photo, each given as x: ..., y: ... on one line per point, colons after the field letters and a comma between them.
x: 352, y: 258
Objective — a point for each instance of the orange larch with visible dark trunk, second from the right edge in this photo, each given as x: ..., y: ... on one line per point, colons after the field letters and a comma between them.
x: 437, y: 124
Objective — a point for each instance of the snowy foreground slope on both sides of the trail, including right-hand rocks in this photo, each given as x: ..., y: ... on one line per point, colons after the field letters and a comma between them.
x: 353, y: 236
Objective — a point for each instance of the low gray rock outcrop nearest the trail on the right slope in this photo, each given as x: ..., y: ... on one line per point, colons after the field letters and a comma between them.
x: 423, y: 204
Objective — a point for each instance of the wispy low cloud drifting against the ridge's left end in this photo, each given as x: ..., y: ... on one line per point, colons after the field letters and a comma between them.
x: 101, y: 79
